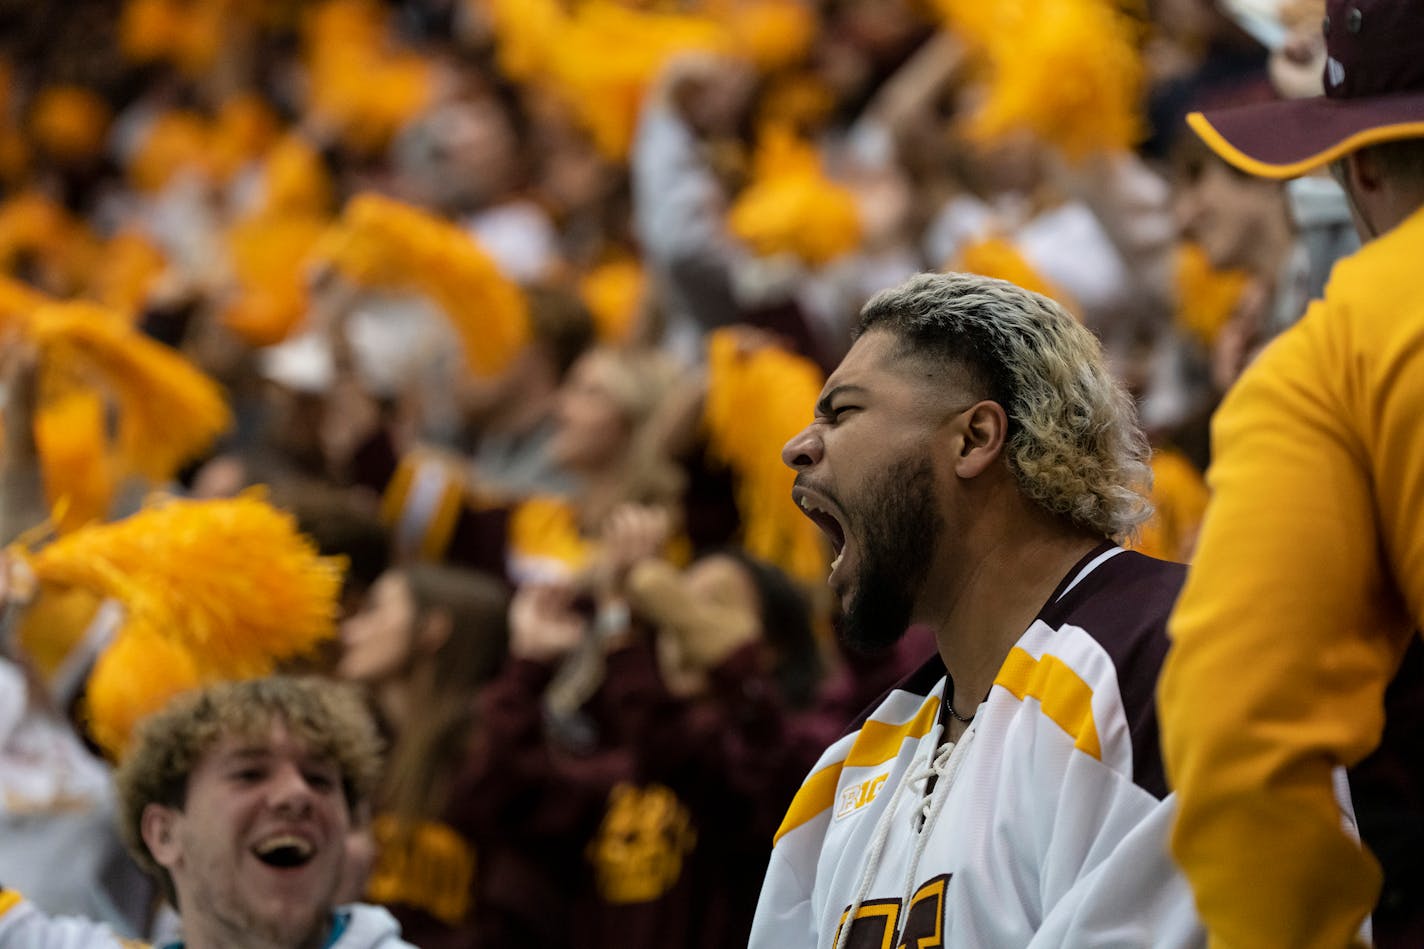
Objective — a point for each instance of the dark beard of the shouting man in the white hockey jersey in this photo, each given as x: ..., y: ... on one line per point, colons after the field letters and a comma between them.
x: 899, y: 532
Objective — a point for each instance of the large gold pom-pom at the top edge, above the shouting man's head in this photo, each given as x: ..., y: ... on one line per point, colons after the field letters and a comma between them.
x: 1066, y: 71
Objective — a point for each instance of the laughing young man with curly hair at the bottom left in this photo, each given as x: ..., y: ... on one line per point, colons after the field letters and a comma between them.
x: 240, y: 799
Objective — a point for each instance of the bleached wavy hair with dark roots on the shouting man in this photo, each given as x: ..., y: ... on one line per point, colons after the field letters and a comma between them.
x: 1073, y: 444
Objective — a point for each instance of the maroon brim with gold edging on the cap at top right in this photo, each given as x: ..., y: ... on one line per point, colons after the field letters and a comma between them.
x: 1291, y: 138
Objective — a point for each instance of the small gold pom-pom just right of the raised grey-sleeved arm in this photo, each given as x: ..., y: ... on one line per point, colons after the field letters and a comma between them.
x: 791, y: 207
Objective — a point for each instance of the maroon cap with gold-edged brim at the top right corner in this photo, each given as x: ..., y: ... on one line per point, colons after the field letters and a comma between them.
x: 1375, y: 92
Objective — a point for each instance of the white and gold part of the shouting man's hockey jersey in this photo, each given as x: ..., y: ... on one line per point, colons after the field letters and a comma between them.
x: 1030, y: 831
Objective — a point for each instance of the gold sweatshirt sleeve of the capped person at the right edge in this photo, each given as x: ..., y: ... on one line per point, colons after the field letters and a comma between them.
x: 1307, y: 586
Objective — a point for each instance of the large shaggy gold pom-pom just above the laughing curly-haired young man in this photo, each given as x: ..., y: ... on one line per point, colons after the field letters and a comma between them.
x: 210, y: 591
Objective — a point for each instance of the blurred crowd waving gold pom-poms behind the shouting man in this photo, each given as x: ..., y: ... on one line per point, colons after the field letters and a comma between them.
x: 509, y: 307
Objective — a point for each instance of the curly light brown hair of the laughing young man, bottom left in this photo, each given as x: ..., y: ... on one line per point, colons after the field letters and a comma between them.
x: 328, y: 719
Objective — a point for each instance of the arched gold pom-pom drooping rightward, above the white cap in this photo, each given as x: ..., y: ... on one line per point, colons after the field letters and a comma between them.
x: 382, y: 243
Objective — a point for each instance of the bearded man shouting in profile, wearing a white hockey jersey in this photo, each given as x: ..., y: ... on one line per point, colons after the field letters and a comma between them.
x: 973, y: 462
